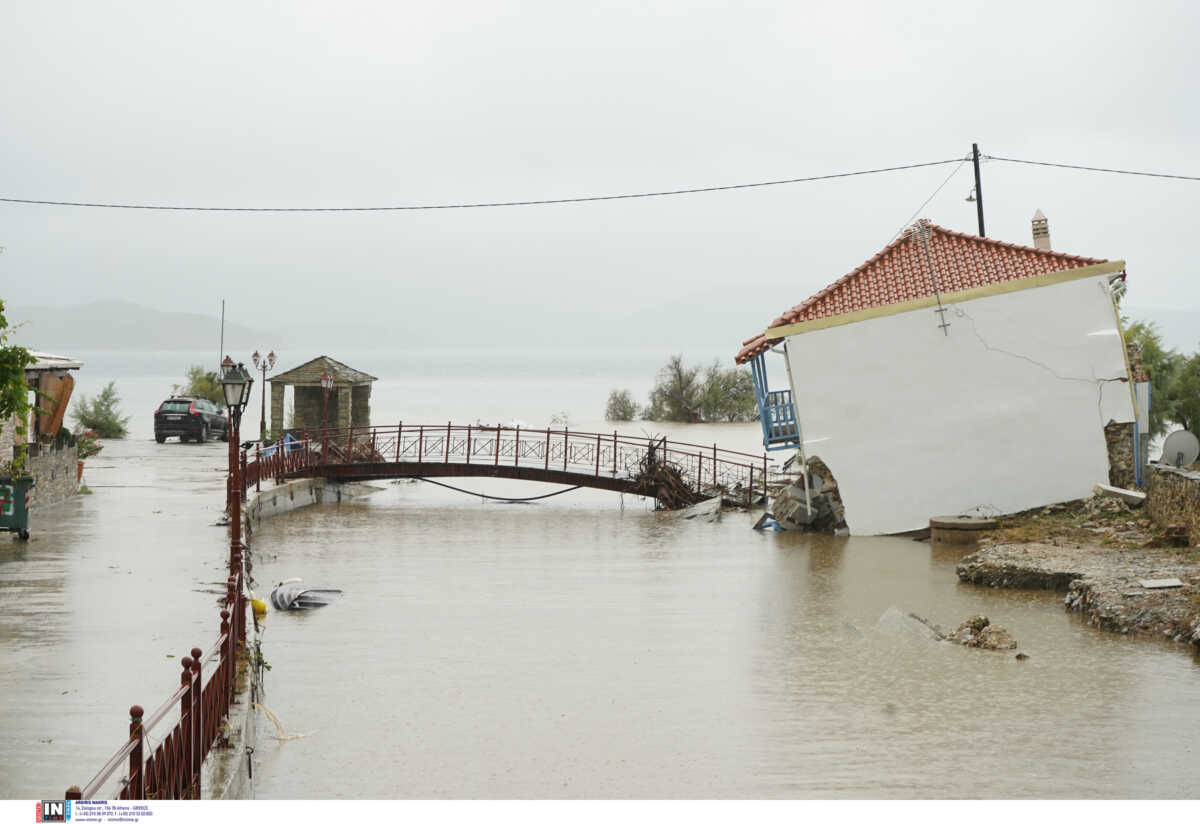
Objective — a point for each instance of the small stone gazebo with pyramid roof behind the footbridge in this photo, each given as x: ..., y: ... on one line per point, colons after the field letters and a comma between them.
x: 350, y: 401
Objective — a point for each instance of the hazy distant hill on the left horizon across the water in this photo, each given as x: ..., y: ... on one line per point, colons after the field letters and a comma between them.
x: 107, y: 326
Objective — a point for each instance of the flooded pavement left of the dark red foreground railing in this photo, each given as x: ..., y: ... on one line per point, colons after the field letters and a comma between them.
x: 100, y: 605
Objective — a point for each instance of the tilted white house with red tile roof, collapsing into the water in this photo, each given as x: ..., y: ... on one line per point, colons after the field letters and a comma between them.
x: 953, y: 375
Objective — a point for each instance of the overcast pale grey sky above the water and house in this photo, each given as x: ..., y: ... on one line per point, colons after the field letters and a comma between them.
x: 350, y: 104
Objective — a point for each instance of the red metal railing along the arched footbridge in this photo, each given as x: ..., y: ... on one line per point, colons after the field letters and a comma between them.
x: 584, y: 454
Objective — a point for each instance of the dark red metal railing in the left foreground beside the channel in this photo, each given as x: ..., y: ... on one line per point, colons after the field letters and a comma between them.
x: 171, y: 769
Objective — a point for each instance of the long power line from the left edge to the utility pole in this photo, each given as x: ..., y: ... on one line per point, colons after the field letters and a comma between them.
x: 477, y: 206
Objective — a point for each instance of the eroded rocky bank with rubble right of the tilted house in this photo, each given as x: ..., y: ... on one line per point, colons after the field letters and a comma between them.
x: 1097, y: 552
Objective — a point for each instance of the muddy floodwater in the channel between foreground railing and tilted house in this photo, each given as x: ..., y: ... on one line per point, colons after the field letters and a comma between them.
x: 574, y: 651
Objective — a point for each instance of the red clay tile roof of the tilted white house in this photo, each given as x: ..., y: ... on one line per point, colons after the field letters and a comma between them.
x: 901, y: 274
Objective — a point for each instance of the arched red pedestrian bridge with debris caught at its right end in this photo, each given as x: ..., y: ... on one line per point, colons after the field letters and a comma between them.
x: 675, y: 473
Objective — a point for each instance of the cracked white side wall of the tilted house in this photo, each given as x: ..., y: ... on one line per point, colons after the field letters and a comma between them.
x: 1003, y: 414
